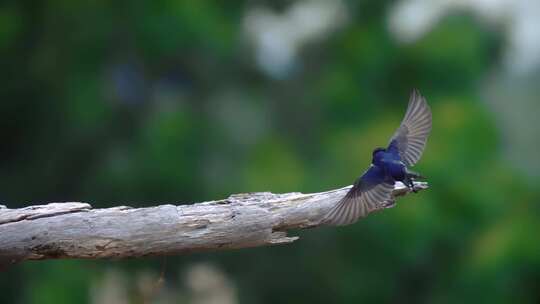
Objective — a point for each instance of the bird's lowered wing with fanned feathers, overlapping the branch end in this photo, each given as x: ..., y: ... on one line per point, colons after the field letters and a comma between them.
x: 370, y: 192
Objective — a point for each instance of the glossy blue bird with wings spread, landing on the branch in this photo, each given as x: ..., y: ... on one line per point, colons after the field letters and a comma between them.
x: 373, y: 189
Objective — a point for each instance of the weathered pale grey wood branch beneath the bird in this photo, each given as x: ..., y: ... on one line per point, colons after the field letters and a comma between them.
x: 76, y: 230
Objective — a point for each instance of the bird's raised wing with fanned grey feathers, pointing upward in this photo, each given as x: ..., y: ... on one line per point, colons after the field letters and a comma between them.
x: 411, y: 136
